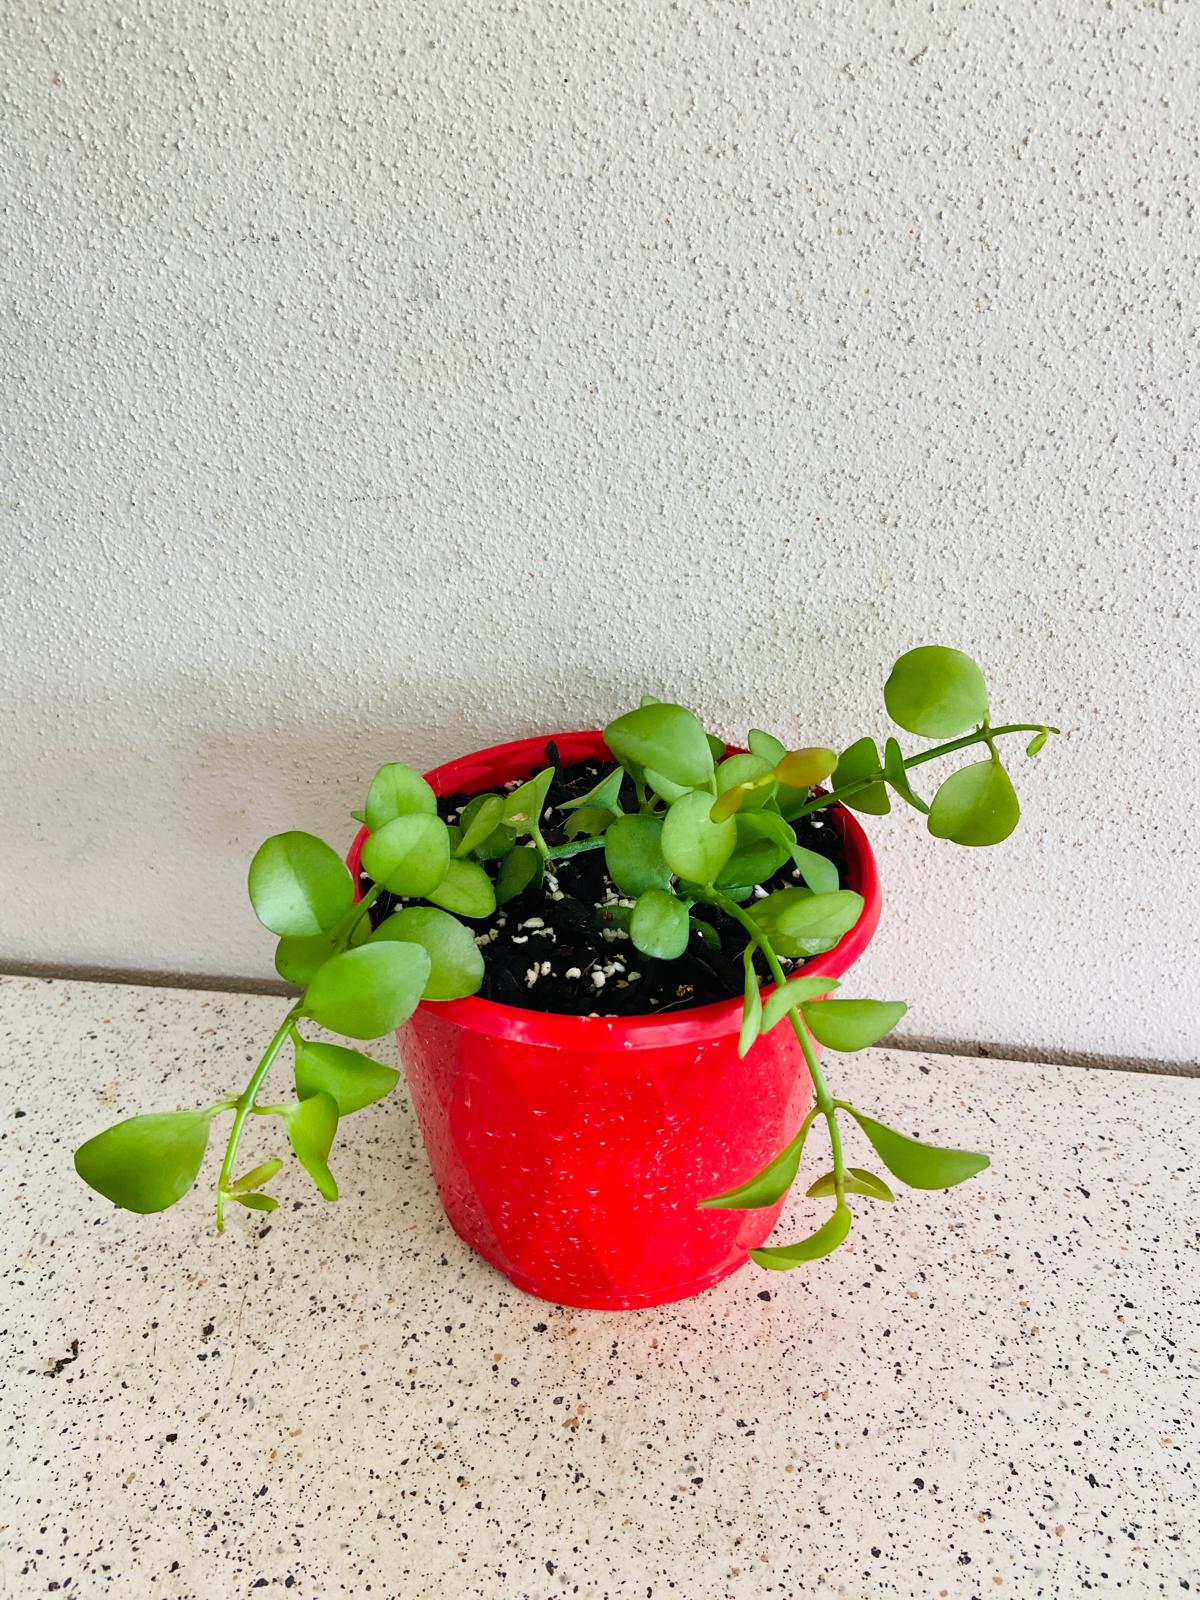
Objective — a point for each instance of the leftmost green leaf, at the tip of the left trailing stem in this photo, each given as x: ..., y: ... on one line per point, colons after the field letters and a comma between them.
x: 146, y: 1164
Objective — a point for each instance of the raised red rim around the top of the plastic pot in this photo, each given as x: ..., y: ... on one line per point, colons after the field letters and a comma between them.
x: 519, y: 758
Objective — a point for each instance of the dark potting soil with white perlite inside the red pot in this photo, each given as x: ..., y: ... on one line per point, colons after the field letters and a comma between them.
x: 548, y: 951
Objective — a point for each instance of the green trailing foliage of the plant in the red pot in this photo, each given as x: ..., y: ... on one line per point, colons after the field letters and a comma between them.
x: 710, y: 828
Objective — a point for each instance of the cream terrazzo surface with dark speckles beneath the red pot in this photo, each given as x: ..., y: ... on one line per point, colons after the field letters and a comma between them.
x: 990, y: 1393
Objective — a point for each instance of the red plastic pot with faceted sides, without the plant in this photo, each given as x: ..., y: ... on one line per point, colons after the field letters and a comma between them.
x: 572, y: 1153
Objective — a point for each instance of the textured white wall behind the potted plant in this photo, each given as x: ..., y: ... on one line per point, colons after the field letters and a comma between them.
x: 383, y: 382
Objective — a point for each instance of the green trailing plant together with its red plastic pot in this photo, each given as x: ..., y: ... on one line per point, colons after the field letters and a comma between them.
x: 614, y: 964
